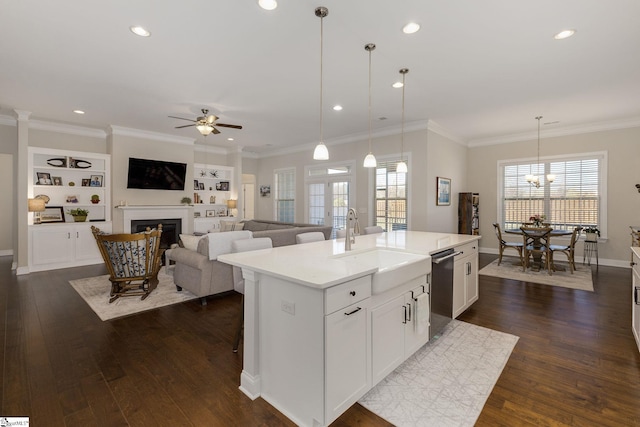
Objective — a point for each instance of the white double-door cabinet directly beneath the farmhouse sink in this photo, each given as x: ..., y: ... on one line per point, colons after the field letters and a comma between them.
x: 394, y: 331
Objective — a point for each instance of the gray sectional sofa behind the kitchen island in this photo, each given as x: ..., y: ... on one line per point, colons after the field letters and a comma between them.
x: 198, y: 274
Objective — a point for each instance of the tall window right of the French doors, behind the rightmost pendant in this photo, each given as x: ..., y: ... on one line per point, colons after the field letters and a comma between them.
x: 390, y: 197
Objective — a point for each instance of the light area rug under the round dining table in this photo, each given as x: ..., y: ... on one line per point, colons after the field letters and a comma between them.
x: 510, y: 268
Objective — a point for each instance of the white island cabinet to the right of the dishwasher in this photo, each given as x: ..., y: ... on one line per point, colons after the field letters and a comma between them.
x: 465, y: 278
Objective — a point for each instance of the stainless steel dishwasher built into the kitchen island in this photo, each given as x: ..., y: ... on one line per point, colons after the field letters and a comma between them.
x: 441, y: 290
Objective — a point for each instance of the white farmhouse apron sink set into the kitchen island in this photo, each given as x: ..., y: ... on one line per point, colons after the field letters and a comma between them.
x: 394, y: 267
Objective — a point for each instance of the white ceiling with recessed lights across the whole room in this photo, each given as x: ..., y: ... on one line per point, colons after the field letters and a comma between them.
x: 481, y: 70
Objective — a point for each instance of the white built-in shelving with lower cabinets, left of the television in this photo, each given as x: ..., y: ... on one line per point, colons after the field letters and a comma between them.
x: 67, y: 180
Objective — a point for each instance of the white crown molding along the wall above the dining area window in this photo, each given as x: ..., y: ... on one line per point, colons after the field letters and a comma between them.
x: 564, y: 131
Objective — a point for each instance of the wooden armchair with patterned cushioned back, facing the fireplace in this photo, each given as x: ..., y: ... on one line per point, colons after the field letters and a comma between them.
x: 133, y: 261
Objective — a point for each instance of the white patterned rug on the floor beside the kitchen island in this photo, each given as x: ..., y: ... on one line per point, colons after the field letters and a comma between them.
x: 446, y: 382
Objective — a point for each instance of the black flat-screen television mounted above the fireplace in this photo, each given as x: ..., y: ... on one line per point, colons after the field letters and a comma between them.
x: 156, y: 174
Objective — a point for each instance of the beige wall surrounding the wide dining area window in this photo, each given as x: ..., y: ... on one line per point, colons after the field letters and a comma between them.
x: 623, y: 199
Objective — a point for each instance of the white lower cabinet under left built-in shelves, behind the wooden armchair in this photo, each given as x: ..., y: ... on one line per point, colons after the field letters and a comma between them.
x: 63, y: 245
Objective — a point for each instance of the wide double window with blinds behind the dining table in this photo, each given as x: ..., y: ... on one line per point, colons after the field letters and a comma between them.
x: 577, y: 196
